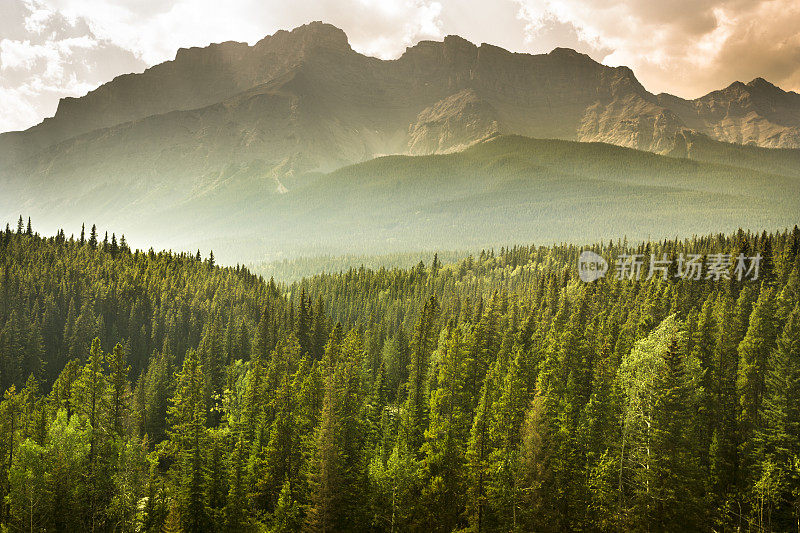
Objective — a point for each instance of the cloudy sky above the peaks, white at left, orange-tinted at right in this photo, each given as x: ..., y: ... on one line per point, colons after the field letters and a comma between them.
x: 55, y: 48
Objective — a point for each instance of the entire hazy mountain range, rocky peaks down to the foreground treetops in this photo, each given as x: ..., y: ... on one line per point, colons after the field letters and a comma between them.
x: 233, y: 130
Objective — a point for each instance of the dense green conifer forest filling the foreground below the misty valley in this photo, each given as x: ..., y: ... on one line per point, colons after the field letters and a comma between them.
x: 150, y: 391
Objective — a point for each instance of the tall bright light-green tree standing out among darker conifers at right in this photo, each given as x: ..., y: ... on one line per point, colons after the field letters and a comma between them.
x: 657, y: 463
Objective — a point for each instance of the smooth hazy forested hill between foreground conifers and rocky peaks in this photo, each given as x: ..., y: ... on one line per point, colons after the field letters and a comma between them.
x: 513, y: 188
